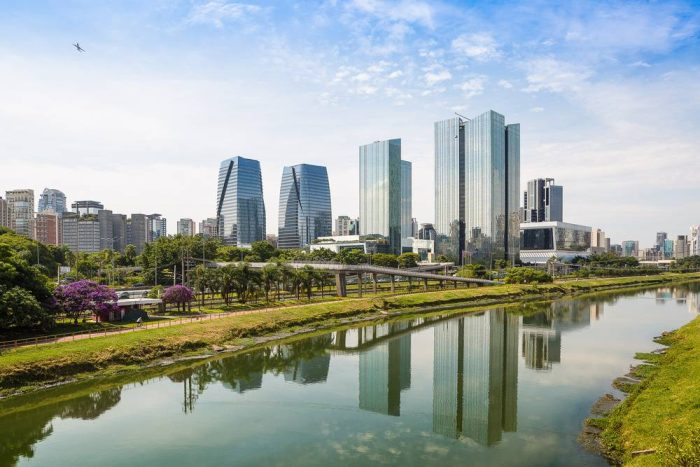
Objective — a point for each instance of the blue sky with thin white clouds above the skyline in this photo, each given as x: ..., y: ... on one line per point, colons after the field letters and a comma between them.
x: 607, y: 95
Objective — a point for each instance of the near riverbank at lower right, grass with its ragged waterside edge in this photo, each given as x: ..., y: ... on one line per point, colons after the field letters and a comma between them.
x: 658, y: 423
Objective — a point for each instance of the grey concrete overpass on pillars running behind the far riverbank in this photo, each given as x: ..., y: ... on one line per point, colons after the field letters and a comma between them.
x: 342, y: 271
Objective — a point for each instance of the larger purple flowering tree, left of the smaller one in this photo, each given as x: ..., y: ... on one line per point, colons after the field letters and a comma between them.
x: 82, y: 296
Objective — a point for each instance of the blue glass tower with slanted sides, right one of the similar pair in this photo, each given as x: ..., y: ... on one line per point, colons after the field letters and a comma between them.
x: 305, y: 206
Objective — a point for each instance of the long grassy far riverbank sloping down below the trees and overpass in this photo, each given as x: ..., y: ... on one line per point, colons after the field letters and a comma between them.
x: 23, y: 370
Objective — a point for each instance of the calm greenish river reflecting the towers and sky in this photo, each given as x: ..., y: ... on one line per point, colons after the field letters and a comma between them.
x: 502, y: 387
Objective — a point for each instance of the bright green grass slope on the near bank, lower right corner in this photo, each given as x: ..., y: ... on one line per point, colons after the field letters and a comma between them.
x: 668, y: 401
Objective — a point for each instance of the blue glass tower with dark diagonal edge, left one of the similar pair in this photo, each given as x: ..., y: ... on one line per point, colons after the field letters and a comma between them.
x: 240, y: 208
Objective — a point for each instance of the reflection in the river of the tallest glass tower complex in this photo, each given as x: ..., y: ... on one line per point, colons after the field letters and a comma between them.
x: 475, y: 376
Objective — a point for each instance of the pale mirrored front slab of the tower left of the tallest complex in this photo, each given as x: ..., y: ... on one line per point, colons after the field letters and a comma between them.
x: 380, y: 191
